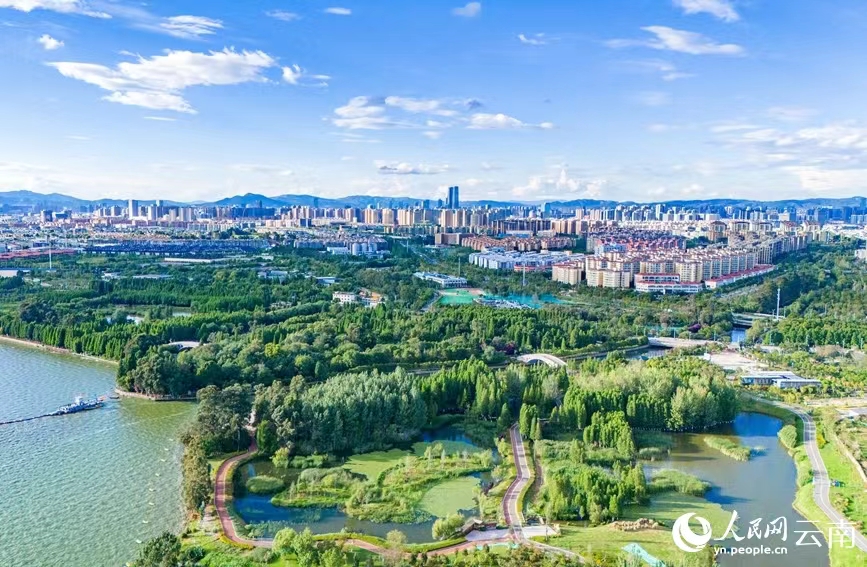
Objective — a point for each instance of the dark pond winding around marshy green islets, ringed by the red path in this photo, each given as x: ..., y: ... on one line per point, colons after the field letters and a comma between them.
x: 268, y: 518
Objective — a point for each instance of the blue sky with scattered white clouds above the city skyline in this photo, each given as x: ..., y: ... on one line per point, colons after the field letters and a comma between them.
x: 624, y: 99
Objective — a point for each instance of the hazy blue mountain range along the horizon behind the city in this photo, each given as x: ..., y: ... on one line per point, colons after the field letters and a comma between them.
x: 18, y: 200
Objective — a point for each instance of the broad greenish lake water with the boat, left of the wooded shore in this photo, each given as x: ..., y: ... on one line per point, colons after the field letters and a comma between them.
x: 79, y: 490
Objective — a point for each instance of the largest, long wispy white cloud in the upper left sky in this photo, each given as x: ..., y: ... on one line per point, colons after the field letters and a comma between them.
x: 157, y: 82
